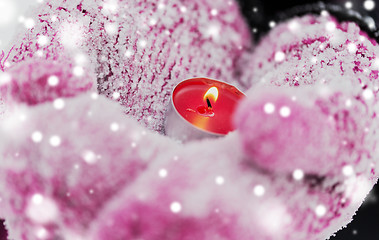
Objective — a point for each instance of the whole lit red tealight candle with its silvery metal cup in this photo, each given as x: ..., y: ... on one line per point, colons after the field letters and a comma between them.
x: 202, y: 107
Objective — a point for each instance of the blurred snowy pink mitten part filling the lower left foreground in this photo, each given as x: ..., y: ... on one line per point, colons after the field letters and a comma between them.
x: 60, y: 166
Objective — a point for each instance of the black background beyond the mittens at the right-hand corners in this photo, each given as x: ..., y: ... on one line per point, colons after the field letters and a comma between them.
x: 365, y: 225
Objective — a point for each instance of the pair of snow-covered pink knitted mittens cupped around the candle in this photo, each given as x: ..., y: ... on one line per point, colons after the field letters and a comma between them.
x: 83, y: 155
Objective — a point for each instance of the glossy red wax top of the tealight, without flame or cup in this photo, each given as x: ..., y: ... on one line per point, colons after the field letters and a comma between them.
x: 189, y: 102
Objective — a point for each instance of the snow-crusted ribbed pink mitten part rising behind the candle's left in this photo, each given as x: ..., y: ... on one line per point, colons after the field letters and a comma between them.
x: 139, y: 50
